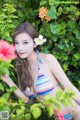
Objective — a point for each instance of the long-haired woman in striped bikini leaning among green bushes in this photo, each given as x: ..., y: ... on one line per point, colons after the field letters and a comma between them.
x: 38, y: 73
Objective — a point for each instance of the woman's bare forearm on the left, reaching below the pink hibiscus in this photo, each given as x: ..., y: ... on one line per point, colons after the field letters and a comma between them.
x: 17, y: 92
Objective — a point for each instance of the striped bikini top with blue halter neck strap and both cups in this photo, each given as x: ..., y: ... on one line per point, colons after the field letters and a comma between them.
x: 43, y: 84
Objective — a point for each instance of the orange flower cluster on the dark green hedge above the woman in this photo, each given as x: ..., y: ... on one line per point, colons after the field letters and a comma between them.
x: 42, y: 14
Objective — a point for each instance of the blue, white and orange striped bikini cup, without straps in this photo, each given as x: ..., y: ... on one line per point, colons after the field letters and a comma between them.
x: 43, y: 85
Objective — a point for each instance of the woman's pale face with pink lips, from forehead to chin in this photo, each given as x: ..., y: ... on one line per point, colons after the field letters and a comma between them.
x: 24, y: 45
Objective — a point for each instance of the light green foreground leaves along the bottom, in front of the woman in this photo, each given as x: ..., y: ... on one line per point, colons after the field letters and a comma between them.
x: 19, y: 110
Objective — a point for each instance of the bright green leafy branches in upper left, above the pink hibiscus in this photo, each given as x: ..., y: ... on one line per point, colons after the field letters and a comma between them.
x: 7, y: 21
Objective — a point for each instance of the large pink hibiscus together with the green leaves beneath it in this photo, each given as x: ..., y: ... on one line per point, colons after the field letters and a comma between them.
x: 6, y: 56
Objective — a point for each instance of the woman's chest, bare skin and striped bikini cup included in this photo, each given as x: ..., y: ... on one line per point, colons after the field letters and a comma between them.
x: 44, y: 80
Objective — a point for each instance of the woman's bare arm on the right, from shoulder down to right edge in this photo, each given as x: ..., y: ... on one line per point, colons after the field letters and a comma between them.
x: 62, y: 78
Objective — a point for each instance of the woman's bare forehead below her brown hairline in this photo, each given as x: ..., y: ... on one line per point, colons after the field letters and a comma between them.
x: 23, y: 36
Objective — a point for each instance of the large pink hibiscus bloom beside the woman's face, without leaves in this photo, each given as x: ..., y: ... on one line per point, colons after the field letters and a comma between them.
x: 6, y: 51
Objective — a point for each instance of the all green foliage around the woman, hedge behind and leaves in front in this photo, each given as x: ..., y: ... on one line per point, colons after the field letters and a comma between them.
x: 63, y: 41
